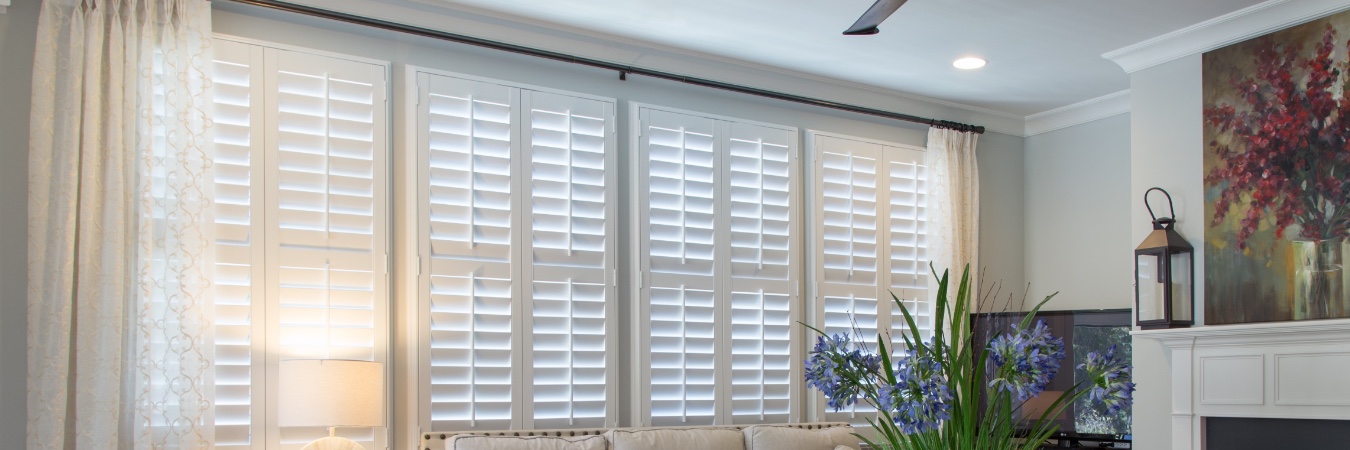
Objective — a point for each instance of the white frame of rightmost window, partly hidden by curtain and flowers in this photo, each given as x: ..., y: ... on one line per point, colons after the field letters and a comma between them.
x: 886, y: 314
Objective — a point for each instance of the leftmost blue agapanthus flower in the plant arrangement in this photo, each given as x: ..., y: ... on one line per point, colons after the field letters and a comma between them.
x: 834, y: 360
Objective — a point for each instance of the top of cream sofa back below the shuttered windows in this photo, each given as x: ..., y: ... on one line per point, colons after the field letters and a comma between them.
x: 762, y: 437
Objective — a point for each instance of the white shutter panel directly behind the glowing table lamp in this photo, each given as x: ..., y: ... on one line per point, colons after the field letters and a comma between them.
x: 327, y: 216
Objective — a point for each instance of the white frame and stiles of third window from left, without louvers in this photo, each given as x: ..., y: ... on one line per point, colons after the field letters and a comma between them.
x: 639, y: 270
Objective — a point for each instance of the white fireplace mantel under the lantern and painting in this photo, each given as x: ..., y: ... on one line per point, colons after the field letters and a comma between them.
x: 1278, y: 371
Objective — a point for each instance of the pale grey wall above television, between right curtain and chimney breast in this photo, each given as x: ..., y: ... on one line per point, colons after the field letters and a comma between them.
x: 1078, y: 221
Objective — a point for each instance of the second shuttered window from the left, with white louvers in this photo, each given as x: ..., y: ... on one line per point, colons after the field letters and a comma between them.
x: 516, y: 201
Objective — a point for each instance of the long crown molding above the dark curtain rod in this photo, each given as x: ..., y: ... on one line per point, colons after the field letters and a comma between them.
x: 443, y: 16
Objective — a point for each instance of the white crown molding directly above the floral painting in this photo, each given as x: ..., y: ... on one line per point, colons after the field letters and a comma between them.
x: 1221, y: 32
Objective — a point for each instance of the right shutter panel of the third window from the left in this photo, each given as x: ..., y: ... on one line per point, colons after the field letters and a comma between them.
x: 761, y: 202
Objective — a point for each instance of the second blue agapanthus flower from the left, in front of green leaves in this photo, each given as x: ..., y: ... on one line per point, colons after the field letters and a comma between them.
x: 920, y: 401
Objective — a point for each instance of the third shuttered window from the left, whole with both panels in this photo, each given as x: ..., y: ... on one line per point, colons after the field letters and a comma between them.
x: 719, y: 270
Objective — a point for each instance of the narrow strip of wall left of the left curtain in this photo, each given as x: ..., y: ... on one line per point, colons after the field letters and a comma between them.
x: 18, y: 36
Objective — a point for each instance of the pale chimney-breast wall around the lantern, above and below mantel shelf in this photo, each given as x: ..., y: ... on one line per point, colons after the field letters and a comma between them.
x: 1167, y: 141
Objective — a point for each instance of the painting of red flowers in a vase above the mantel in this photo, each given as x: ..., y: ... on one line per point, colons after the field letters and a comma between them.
x: 1278, y: 176
